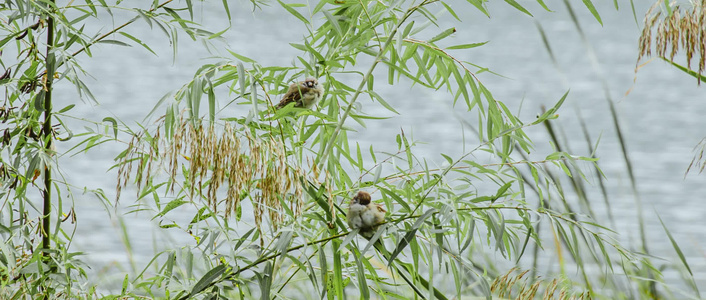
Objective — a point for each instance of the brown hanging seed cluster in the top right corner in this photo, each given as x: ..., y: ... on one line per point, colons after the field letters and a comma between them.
x: 685, y: 29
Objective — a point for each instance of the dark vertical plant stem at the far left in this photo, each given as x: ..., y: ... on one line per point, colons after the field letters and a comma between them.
x: 47, y: 135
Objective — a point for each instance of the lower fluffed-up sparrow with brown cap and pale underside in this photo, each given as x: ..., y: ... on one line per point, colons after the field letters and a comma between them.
x: 364, y: 215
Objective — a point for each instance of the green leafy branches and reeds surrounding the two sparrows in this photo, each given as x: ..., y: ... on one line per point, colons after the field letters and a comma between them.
x: 474, y: 227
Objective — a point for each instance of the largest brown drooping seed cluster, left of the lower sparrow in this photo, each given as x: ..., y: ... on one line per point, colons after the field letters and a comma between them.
x: 254, y: 167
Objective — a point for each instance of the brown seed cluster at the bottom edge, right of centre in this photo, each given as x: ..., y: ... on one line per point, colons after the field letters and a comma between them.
x: 503, y: 287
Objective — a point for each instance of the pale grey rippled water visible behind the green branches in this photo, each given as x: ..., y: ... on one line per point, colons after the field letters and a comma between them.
x: 662, y: 117
